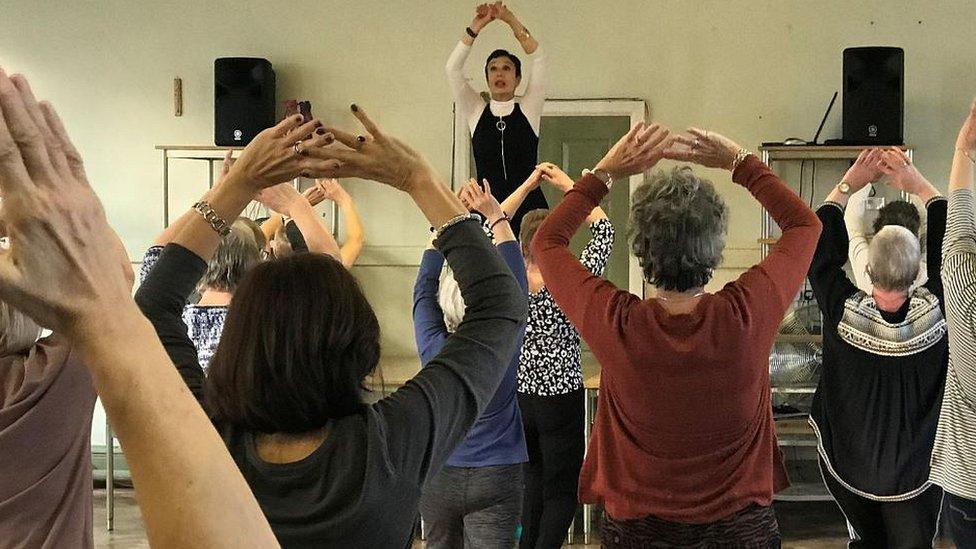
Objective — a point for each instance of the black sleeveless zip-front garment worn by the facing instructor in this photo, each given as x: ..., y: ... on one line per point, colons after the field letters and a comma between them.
x: 506, y: 151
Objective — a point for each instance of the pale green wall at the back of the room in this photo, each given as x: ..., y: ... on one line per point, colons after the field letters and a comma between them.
x: 753, y: 70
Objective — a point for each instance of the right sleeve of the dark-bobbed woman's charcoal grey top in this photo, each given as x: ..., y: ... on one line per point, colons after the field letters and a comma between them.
x: 431, y: 414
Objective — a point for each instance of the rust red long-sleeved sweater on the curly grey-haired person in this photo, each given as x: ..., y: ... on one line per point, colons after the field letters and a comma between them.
x: 684, y: 427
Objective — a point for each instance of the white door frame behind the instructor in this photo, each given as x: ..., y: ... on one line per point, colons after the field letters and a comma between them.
x: 635, y: 109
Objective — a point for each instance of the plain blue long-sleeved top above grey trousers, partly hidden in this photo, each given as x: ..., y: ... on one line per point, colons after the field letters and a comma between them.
x: 497, y: 438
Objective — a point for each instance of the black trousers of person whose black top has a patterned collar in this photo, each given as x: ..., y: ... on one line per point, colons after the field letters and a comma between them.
x: 908, y: 524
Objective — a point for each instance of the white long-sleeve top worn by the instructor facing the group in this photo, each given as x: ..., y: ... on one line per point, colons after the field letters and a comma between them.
x: 471, y: 105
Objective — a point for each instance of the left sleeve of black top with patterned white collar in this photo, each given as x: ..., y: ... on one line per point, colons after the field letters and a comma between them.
x: 830, y: 284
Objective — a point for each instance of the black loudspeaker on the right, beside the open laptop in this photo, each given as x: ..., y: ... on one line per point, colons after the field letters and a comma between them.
x: 874, y: 96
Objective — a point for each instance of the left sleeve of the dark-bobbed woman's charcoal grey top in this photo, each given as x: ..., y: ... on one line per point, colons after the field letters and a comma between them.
x: 162, y: 296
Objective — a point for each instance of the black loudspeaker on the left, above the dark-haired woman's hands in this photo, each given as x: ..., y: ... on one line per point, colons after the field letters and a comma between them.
x: 244, y: 99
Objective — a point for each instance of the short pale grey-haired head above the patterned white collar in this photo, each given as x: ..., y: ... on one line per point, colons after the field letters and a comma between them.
x: 893, y: 259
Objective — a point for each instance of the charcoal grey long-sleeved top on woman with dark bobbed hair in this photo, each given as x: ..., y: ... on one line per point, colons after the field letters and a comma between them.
x: 360, y: 488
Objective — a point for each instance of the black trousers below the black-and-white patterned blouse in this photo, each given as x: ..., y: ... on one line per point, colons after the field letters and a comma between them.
x: 554, y: 436
